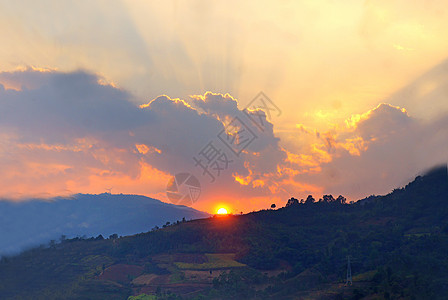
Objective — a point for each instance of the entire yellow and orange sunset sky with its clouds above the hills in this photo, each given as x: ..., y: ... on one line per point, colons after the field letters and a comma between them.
x: 121, y: 96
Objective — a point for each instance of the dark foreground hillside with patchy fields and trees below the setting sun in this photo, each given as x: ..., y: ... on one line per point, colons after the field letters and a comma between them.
x: 397, y: 245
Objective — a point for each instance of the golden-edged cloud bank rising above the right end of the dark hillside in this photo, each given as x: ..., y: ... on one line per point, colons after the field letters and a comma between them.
x: 374, y: 152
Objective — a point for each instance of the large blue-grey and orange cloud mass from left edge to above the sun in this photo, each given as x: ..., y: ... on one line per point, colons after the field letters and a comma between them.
x: 65, y: 132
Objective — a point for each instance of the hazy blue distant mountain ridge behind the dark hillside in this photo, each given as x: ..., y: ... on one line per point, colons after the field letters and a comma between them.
x: 27, y: 224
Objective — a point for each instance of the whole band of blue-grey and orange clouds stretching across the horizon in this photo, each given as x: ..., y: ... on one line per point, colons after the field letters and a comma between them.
x: 63, y: 133
